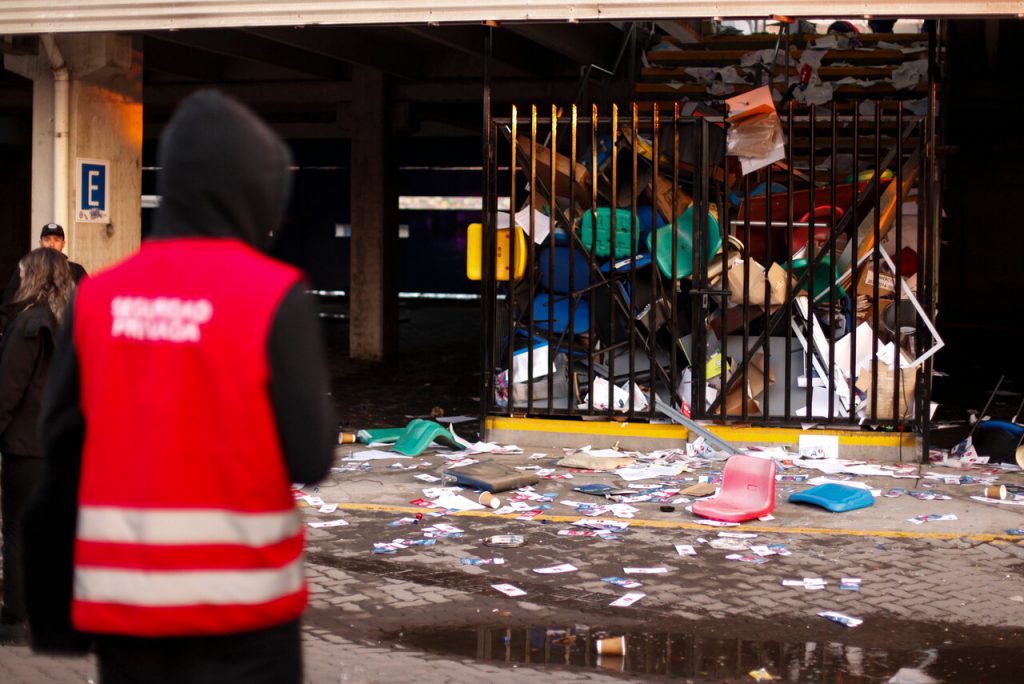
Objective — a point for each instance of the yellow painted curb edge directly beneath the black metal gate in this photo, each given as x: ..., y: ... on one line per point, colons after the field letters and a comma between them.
x: 740, y: 435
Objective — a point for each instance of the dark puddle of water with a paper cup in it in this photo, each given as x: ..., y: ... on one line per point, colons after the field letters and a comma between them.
x: 702, y: 658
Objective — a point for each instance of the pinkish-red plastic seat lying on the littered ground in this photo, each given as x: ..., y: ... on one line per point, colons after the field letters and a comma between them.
x: 748, y: 491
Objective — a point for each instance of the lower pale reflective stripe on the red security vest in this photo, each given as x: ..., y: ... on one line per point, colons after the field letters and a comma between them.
x: 187, y: 588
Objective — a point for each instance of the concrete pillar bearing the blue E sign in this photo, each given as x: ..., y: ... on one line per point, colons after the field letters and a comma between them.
x: 105, y: 124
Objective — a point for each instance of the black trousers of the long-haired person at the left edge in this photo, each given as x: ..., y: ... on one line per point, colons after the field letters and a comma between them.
x: 19, y: 478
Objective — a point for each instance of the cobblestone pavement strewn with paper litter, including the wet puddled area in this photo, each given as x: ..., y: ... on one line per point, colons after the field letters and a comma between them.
x: 422, y: 616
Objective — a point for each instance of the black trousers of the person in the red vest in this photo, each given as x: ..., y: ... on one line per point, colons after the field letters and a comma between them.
x: 266, y: 657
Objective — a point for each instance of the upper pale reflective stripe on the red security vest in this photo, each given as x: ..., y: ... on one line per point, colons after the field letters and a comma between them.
x: 134, y: 526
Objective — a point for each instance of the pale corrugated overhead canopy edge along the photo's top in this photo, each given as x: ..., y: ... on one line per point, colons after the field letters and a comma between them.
x: 68, y: 16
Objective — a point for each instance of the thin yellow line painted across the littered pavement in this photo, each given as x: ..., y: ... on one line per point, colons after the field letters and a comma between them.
x: 679, y: 525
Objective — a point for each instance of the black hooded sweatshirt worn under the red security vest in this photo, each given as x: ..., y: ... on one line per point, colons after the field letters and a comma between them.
x: 224, y: 175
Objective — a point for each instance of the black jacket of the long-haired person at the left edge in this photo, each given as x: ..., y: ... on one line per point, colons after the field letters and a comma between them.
x: 25, y: 362
